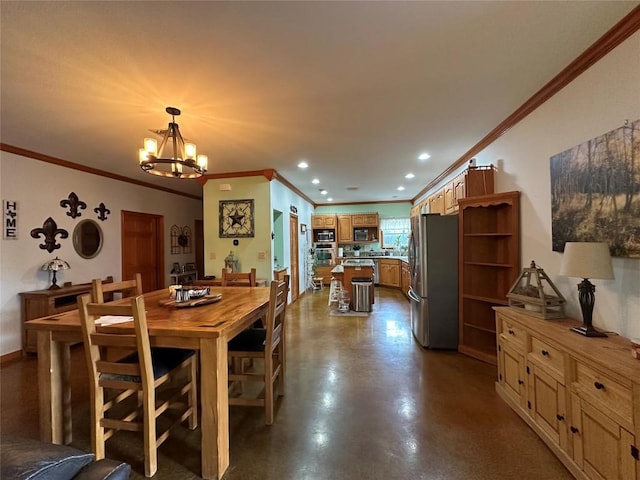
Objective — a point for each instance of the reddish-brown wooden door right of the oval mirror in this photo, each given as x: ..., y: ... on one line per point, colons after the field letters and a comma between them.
x: 143, y: 249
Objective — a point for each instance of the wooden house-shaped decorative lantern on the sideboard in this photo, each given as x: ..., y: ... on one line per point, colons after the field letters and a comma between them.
x: 535, y: 294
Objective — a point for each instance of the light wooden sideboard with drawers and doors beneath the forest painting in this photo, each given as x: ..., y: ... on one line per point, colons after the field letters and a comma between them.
x: 580, y: 395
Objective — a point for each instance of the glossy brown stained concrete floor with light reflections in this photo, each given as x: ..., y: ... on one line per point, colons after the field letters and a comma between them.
x: 363, y: 401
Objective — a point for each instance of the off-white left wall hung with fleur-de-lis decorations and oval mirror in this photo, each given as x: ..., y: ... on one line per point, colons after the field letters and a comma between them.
x: 38, y: 188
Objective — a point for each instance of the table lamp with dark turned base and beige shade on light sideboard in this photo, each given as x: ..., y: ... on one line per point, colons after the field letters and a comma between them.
x: 587, y: 260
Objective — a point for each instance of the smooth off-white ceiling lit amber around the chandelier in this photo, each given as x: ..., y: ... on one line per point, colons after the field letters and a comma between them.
x: 358, y: 89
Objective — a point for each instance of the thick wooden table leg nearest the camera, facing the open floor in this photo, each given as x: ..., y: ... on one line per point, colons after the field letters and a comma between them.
x: 214, y: 402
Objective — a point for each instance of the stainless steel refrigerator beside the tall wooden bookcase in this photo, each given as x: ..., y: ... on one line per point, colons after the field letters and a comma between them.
x: 433, y: 264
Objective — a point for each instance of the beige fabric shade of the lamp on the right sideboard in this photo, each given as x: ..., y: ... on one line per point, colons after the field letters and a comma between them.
x: 587, y: 260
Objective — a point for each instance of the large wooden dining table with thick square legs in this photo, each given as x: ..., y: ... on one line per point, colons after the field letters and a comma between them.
x: 206, y: 328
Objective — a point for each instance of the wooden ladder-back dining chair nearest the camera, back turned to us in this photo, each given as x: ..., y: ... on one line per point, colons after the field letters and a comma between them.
x: 133, y: 392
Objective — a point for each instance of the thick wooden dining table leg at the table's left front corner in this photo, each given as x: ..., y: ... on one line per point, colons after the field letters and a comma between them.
x: 54, y: 389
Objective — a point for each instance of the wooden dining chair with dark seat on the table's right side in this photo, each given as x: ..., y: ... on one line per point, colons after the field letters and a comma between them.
x: 267, y: 344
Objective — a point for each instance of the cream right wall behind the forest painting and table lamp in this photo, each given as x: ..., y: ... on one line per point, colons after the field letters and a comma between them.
x: 598, y: 101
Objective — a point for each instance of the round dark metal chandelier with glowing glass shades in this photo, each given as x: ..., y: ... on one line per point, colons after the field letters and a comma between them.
x: 179, y: 161
